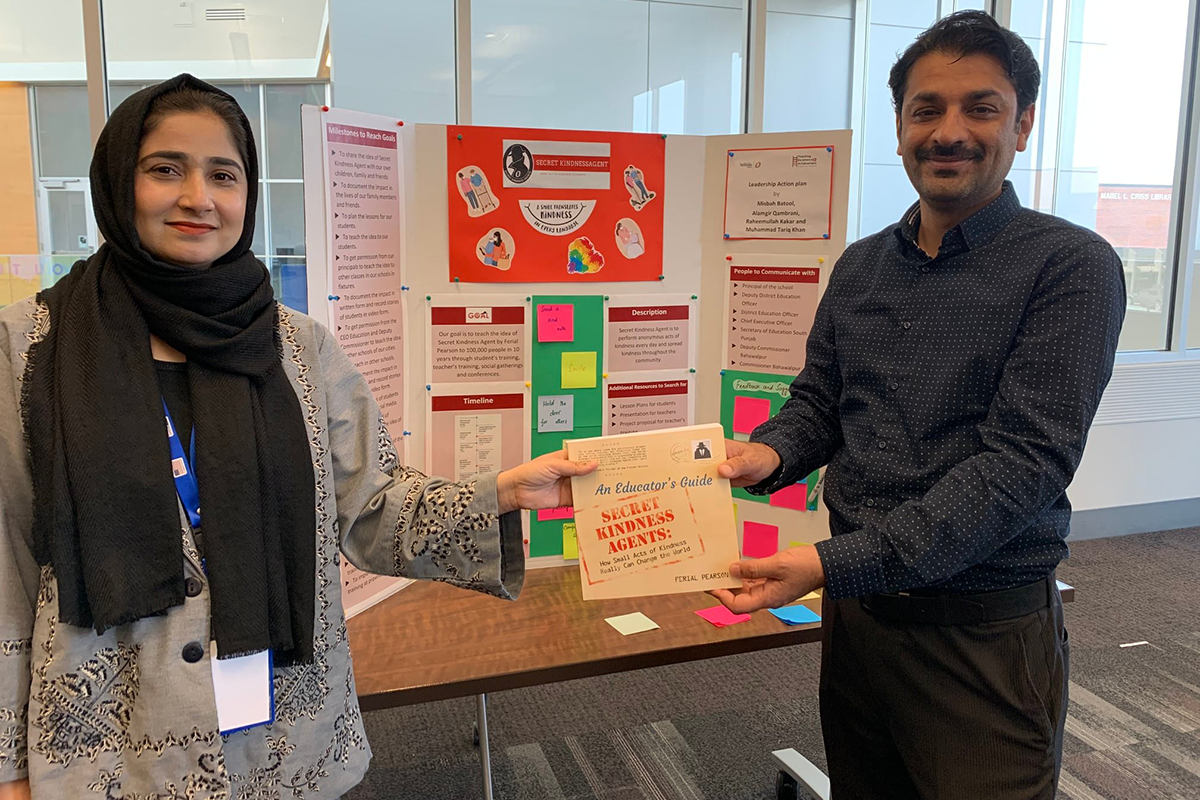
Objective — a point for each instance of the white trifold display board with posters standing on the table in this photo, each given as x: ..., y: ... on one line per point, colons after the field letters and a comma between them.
x: 563, y: 285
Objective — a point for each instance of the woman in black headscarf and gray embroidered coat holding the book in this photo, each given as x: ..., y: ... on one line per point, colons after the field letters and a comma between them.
x: 118, y: 584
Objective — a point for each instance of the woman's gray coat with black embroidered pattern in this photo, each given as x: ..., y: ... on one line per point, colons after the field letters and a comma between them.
x: 123, y: 715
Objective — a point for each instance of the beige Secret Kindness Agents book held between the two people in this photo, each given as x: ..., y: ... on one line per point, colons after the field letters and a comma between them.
x: 655, y: 519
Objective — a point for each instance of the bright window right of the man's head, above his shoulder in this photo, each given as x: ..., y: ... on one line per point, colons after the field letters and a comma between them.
x: 1117, y: 179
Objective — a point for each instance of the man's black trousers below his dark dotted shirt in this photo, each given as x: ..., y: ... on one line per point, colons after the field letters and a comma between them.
x: 944, y: 712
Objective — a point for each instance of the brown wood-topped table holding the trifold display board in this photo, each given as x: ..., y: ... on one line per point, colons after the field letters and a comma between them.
x: 460, y: 643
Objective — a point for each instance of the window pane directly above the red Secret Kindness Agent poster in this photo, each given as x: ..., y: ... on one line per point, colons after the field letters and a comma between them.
x: 613, y: 65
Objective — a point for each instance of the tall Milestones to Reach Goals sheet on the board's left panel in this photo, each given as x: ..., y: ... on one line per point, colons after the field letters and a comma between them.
x: 363, y: 167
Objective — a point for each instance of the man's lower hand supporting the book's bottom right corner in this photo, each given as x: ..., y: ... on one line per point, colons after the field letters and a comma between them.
x: 773, y: 581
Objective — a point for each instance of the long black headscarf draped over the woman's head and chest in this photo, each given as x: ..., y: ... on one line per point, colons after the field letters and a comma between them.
x: 106, y: 513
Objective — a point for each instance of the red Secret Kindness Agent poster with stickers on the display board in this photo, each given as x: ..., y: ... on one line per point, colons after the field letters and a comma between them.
x: 532, y: 206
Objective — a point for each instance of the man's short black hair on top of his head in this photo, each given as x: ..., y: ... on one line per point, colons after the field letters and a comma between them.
x: 969, y: 33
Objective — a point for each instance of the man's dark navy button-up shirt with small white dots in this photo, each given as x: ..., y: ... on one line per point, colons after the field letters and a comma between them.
x: 951, y: 398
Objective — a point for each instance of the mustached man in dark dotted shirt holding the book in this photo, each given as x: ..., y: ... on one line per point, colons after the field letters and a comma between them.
x: 953, y: 370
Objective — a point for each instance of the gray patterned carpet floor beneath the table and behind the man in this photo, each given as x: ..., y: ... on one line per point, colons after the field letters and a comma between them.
x: 704, y: 731
